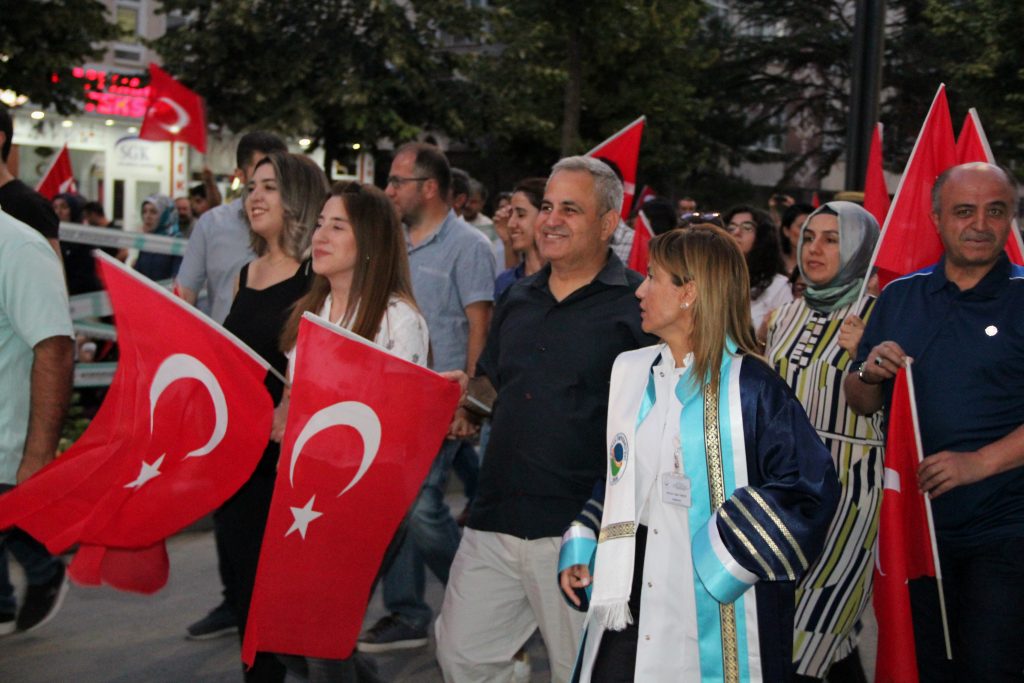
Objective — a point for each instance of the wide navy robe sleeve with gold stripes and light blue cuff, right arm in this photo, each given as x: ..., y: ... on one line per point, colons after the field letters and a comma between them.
x: 775, y: 529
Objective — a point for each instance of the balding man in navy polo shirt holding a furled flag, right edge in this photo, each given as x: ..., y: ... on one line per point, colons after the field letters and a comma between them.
x: 962, y: 321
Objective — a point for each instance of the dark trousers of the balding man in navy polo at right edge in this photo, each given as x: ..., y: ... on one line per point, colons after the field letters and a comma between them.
x: 985, y: 592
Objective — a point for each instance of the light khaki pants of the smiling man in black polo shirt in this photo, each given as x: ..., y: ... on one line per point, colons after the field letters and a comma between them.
x: 500, y: 590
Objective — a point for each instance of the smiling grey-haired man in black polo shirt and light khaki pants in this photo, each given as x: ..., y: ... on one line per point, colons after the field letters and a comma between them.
x: 549, y: 354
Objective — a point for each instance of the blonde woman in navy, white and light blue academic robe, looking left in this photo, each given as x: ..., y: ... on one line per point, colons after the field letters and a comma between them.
x: 716, y: 484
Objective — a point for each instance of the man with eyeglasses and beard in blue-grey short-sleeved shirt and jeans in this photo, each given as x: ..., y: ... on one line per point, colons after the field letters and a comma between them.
x: 453, y: 272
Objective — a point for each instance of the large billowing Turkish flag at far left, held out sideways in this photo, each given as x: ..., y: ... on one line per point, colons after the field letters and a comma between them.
x: 183, y: 428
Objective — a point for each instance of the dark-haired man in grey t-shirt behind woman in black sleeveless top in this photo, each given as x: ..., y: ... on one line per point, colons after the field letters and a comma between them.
x: 219, y: 246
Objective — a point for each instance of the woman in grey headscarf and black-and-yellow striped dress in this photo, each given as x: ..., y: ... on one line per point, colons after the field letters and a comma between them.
x: 813, y: 344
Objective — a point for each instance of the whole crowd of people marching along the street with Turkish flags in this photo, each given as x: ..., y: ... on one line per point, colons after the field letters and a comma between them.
x: 714, y: 517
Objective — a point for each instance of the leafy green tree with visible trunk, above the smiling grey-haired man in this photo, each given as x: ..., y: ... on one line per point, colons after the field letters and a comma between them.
x: 558, y: 78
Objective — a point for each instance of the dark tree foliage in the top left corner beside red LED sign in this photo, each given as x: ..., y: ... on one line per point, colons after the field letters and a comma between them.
x: 41, y: 41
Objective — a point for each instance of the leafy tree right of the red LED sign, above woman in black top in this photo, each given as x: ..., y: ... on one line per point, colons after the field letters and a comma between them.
x: 340, y: 72
